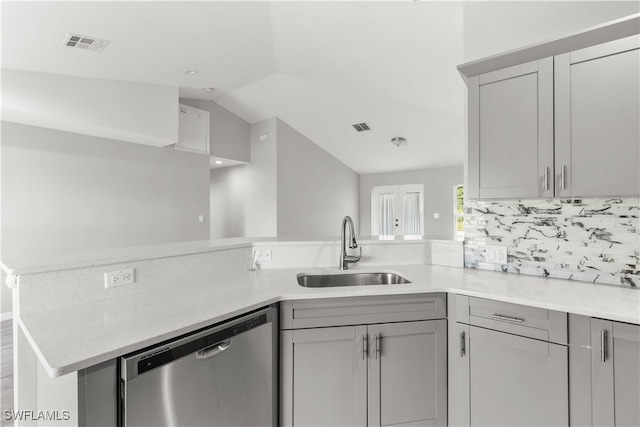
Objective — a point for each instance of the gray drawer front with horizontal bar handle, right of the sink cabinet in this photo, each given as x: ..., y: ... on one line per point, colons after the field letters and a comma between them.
x: 532, y: 322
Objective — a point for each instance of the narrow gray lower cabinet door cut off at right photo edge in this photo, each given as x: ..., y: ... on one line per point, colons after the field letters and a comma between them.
x: 615, y: 373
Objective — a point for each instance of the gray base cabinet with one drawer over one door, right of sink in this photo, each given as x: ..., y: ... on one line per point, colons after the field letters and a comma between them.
x: 508, y: 371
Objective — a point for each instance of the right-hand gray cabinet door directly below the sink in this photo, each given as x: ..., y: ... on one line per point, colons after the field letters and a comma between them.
x: 407, y: 374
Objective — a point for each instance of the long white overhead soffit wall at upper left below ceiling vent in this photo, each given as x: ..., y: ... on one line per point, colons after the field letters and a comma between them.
x: 134, y: 112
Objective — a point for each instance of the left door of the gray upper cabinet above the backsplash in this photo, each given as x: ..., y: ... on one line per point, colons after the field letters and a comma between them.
x: 510, y: 151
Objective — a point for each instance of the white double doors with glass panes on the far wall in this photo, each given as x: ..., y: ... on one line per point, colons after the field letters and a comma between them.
x: 397, y: 210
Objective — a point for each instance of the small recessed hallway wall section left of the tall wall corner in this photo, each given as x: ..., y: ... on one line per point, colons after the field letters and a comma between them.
x: 227, y: 201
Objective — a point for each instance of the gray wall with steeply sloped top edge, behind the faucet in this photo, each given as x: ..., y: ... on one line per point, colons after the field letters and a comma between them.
x: 315, y: 190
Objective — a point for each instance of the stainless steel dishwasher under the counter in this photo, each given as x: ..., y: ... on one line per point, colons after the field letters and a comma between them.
x: 223, y: 376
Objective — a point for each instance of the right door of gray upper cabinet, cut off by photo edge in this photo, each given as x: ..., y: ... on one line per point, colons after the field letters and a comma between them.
x: 597, y: 101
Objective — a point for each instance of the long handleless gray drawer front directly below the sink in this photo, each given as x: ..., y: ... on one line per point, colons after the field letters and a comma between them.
x: 361, y: 310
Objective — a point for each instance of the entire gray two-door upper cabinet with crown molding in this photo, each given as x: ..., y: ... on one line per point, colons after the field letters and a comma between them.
x: 564, y: 125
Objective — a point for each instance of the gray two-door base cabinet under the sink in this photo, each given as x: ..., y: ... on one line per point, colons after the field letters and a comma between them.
x: 376, y: 374
